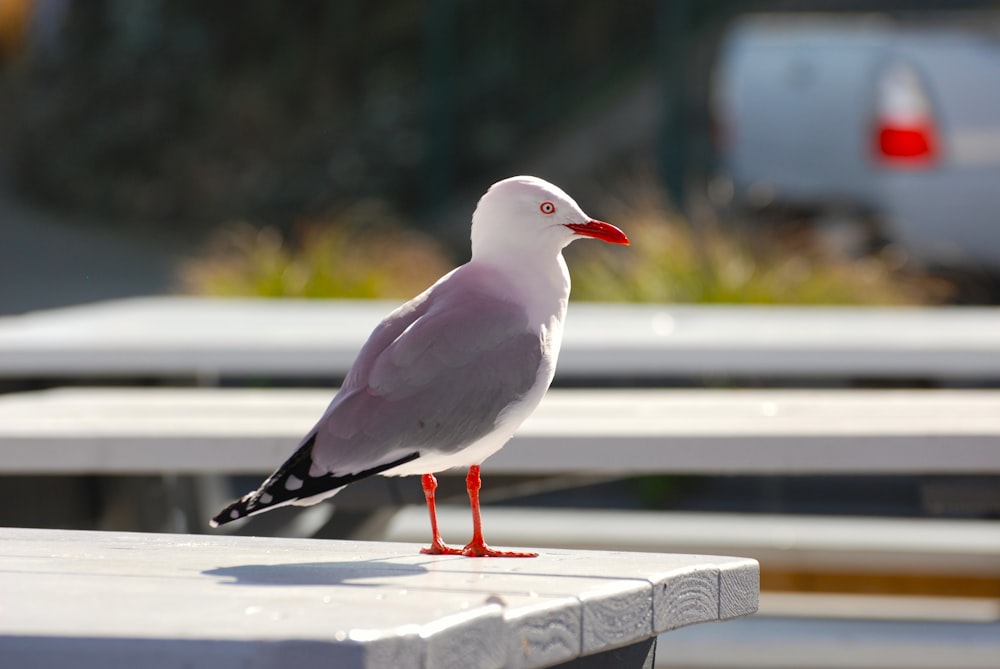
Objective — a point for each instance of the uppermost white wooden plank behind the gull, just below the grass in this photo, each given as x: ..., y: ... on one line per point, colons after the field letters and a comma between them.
x: 211, y: 337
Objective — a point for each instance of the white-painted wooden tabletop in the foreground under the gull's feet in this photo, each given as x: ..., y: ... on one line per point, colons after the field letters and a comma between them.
x: 89, y: 599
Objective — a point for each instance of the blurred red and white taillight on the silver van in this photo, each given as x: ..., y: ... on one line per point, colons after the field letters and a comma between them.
x: 904, y: 132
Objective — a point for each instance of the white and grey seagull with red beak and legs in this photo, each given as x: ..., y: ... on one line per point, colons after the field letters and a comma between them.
x: 446, y: 379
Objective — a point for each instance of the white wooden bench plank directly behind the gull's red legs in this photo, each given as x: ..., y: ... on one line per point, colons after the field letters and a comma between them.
x: 863, y: 545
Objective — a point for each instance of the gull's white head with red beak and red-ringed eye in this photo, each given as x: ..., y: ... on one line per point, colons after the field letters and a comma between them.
x: 527, y: 213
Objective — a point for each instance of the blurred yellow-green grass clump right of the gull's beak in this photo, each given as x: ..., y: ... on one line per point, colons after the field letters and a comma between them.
x: 672, y: 260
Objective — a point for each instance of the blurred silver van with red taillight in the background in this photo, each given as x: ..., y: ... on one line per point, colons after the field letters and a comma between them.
x: 887, y: 121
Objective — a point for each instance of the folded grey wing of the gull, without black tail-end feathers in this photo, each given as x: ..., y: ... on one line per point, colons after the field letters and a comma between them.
x: 433, y: 377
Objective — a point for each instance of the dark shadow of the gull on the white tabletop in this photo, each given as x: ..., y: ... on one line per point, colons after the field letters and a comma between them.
x: 357, y: 572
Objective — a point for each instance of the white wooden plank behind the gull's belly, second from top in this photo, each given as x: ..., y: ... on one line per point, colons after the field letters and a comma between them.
x: 611, y: 432
